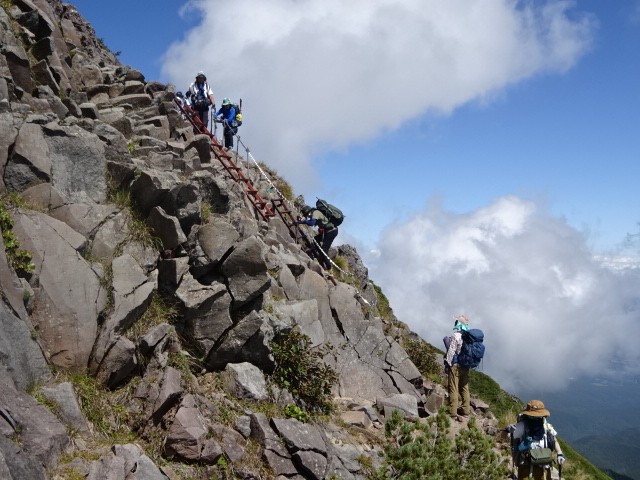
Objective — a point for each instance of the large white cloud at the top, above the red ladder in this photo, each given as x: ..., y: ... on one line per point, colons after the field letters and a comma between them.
x: 317, y: 74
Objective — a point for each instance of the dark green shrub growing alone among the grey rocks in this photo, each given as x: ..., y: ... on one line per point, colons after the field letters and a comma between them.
x: 300, y: 369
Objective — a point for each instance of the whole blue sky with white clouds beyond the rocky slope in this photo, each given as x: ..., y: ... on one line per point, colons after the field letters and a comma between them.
x: 483, y: 151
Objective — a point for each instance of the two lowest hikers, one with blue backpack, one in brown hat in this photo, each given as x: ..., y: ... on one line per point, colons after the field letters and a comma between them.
x: 533, y: 438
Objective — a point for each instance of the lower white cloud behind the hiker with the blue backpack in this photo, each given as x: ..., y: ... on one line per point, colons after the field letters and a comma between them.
x: 548, y: 308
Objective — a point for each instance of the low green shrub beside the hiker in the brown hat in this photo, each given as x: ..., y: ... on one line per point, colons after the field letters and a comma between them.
x: 415, y: 451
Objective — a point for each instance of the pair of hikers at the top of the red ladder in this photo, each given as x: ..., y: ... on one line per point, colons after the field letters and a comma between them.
x: 200, y: 99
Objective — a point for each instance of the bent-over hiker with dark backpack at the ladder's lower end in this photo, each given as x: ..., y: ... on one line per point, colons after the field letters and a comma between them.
x: 327, y: 218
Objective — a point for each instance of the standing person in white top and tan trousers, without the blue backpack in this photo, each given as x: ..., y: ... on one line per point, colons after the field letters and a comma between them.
x: 458, y: 376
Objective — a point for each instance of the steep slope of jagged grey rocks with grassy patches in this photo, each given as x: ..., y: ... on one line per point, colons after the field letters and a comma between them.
x: 136, y: 332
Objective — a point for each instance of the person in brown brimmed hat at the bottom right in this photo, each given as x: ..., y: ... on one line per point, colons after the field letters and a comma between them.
x: 533, y: 443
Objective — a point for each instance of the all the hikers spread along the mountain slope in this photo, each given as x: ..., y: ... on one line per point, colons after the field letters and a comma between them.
x: 533, y: 438
